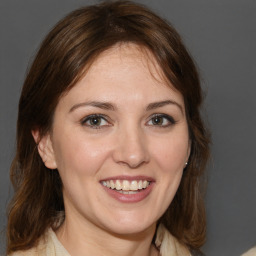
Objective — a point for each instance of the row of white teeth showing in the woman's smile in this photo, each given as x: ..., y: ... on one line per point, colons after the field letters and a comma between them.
x: 126, y: 185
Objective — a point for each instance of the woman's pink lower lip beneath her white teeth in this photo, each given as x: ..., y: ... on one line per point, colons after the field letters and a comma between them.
x: 129, y: 198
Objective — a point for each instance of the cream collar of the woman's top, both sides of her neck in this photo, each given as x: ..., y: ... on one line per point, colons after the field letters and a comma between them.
x: 49, y: 245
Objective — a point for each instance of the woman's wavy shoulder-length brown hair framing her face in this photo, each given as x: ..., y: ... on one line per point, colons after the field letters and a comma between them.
x: 73, y: 44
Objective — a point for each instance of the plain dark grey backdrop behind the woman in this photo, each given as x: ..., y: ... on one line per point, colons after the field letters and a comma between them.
x: 221, y: 36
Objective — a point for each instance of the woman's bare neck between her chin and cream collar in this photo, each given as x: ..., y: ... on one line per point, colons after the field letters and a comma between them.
x: 84, y: 238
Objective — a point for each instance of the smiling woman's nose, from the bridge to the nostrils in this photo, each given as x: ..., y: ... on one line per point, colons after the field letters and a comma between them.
x: 131, y: 148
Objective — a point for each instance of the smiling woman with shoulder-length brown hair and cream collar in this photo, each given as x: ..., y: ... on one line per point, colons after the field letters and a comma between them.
x: 111, y: 147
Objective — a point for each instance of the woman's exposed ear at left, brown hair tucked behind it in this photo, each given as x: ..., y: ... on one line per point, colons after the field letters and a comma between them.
x: 45, y: 149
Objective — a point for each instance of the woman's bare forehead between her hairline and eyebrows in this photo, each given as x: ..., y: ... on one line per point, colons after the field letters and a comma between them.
x: 123, y: 73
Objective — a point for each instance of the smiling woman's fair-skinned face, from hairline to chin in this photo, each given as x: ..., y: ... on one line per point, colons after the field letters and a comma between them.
x: 120, y: 142
